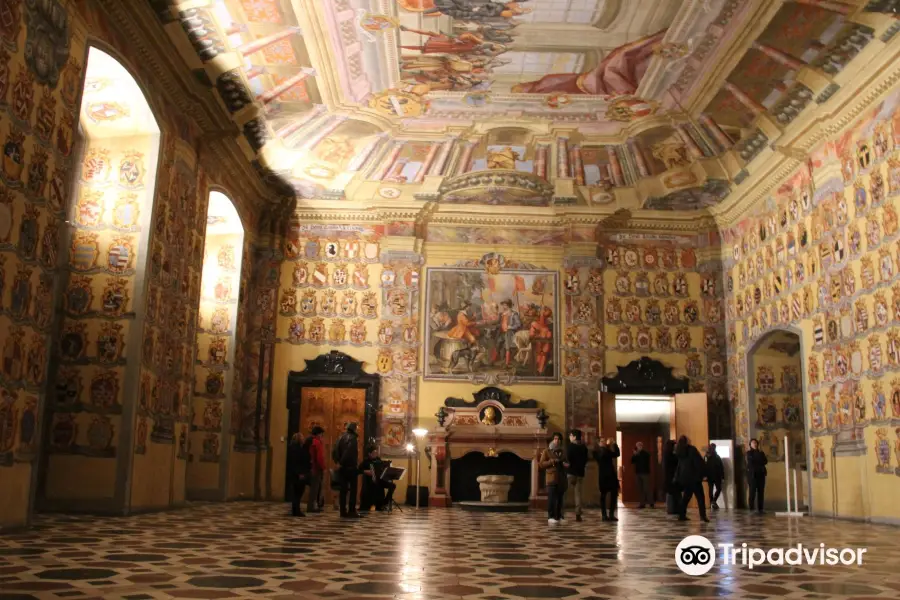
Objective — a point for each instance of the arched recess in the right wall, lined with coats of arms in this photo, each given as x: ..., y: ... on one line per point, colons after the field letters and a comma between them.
x: 777, y: 414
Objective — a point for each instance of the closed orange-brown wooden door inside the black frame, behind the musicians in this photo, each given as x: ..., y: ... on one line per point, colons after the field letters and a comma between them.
x: 331, y: 409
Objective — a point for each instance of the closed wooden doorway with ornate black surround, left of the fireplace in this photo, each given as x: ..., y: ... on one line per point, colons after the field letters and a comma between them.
x: 331, y: 392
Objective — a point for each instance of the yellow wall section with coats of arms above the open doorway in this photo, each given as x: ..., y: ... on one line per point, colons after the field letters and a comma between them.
x: 666, y: 289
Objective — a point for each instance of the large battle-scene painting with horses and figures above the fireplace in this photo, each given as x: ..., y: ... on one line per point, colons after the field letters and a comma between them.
x: 492, y: 321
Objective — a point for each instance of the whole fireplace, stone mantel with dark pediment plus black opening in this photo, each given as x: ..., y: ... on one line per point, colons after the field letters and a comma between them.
x: 488, y: 435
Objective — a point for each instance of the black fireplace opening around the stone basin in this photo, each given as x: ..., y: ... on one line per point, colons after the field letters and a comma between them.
x: 465, y: 471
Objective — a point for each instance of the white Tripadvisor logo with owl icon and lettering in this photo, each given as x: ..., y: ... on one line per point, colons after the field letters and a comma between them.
x: 696, y: 555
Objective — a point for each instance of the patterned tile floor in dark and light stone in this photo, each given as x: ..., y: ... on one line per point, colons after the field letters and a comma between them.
x: 251, y: 550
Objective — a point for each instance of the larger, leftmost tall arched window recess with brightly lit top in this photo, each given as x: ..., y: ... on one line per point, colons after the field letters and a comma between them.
x: 92, y: 408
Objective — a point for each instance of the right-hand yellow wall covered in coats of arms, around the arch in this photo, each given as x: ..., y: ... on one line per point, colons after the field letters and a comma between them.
x: 844, y: 308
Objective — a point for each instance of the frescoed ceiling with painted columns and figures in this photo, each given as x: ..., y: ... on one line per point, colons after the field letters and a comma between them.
x: 654, y: 104
